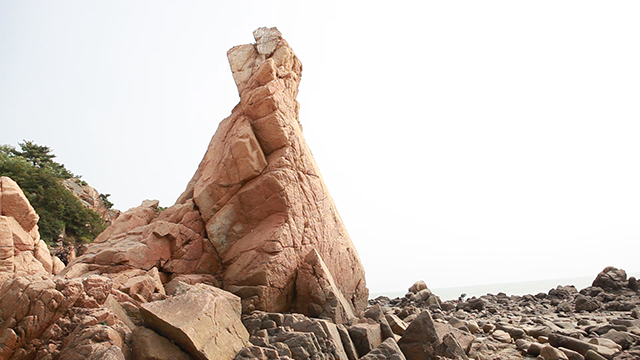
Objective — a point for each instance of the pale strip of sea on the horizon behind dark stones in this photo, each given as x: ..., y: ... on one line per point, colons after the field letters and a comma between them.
x: 514, y: 288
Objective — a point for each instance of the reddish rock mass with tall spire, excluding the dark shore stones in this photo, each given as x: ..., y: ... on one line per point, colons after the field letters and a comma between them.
x: 256, y: 220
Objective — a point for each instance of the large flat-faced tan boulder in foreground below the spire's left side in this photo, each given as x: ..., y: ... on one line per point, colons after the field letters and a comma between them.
x: 204, y: 321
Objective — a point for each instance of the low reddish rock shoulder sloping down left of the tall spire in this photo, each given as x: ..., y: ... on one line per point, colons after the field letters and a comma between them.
x: 142, y: 240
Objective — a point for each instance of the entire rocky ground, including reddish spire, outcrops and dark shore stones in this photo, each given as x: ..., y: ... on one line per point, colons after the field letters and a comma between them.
x: 254, y: 262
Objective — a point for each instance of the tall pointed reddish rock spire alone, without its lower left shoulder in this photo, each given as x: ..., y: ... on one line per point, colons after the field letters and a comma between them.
x: 260, y: 192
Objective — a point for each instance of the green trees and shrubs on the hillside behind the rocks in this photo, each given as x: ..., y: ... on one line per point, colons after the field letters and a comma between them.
x: 33, y: 168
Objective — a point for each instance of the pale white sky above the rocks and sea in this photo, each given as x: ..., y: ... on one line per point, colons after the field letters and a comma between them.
x: 464, y: 142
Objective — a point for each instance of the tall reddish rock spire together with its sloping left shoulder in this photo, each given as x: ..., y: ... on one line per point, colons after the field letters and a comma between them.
x: 256, y: 211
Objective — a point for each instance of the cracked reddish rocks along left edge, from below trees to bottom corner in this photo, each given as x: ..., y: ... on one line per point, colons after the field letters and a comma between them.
x: 44, y: 317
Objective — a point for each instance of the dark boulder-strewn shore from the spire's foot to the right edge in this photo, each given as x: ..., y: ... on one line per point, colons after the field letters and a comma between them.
x: 598, y: 322
